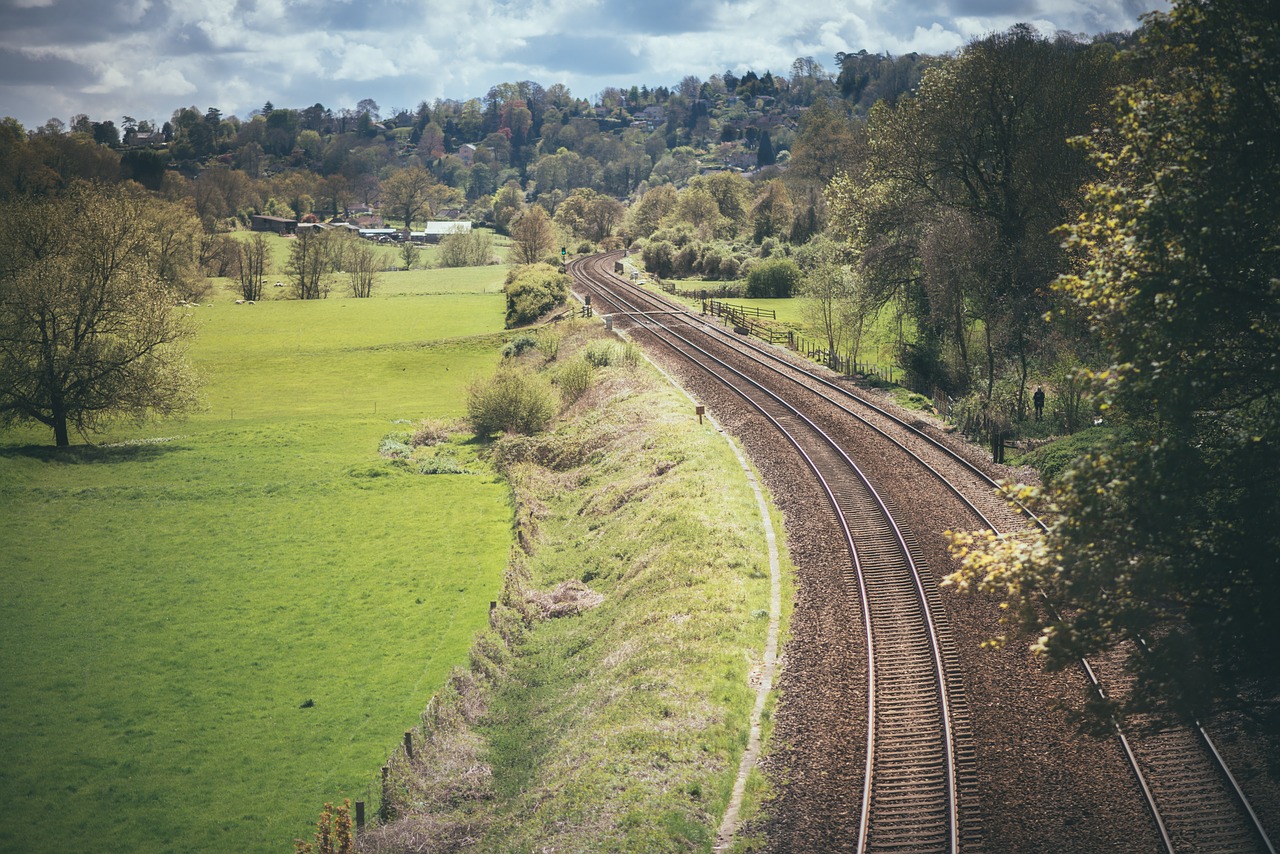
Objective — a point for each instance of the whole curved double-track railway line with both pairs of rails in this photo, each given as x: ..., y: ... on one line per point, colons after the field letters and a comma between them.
x: 920, y: 784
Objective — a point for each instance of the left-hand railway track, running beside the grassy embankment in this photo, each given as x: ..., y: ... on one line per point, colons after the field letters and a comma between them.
x: 911, y: 793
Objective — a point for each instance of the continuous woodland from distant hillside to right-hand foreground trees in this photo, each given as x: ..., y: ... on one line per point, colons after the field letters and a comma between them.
x: 1095, y: 217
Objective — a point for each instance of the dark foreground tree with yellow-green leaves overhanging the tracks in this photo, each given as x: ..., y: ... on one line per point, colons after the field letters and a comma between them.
x: 1173, y: 529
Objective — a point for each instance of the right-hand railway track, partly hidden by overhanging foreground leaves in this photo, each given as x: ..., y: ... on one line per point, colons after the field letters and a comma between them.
x: 1195, y: 801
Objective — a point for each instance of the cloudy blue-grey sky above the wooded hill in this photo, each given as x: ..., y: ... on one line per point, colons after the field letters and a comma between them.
x: 147, y: 58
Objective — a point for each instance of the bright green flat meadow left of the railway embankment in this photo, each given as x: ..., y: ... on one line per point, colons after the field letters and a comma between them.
x: 211, y: 628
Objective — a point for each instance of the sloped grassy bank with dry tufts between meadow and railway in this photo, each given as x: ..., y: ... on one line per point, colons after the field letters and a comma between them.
x: 609, y: 704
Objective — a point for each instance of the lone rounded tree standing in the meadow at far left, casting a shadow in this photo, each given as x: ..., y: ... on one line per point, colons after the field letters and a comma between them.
x: 89, y: 331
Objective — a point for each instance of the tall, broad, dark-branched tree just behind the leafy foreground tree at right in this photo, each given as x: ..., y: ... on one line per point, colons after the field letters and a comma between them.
x: 982, y: 150
